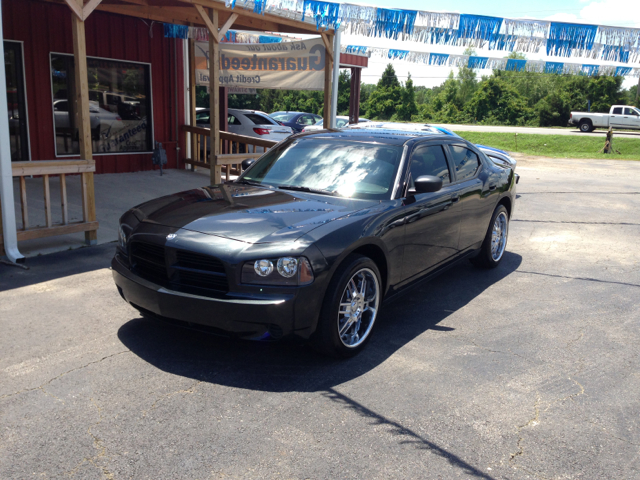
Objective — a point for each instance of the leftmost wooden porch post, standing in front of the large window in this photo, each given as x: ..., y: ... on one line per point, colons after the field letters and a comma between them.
x: 84, y: 125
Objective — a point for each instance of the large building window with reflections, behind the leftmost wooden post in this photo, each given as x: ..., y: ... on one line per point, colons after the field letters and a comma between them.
x: 119, y: 105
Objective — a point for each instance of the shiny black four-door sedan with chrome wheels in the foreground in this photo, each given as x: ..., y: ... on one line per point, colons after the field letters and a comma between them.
x: 311, y: 239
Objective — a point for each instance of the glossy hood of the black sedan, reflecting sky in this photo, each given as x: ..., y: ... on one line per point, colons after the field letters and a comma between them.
x: 247, y: 213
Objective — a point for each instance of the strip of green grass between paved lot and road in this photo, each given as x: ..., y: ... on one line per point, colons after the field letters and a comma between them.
x: 557, y: 146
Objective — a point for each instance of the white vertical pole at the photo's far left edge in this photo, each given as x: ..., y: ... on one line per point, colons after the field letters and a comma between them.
x: 9, y: 229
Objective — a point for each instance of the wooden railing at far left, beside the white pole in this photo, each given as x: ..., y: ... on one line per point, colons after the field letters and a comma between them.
x: 88, y: 224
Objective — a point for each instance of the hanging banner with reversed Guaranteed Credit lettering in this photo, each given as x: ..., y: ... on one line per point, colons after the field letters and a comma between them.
x: 281, y: 66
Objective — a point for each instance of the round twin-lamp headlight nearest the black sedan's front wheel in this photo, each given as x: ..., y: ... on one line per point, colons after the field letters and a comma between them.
x: 285, y: 271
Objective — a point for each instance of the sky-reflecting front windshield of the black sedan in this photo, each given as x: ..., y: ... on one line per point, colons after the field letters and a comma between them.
x: 344, y: 168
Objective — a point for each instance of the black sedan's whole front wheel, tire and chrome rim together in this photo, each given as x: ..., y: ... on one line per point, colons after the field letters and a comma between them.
x: 350, y: 308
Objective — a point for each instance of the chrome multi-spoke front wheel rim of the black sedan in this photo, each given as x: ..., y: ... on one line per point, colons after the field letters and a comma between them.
x: 358, y: 307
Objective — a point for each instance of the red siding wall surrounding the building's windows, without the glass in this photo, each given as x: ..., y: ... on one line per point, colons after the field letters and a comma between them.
x: 46, y: 28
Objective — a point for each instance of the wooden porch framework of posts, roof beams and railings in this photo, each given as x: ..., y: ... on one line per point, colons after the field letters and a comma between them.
x: 211, y: 148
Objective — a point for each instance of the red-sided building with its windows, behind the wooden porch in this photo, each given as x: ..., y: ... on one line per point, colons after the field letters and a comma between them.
x: 136, y: 86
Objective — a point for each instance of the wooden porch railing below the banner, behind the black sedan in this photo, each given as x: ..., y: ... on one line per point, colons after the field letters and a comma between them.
x: 234, y: 149
